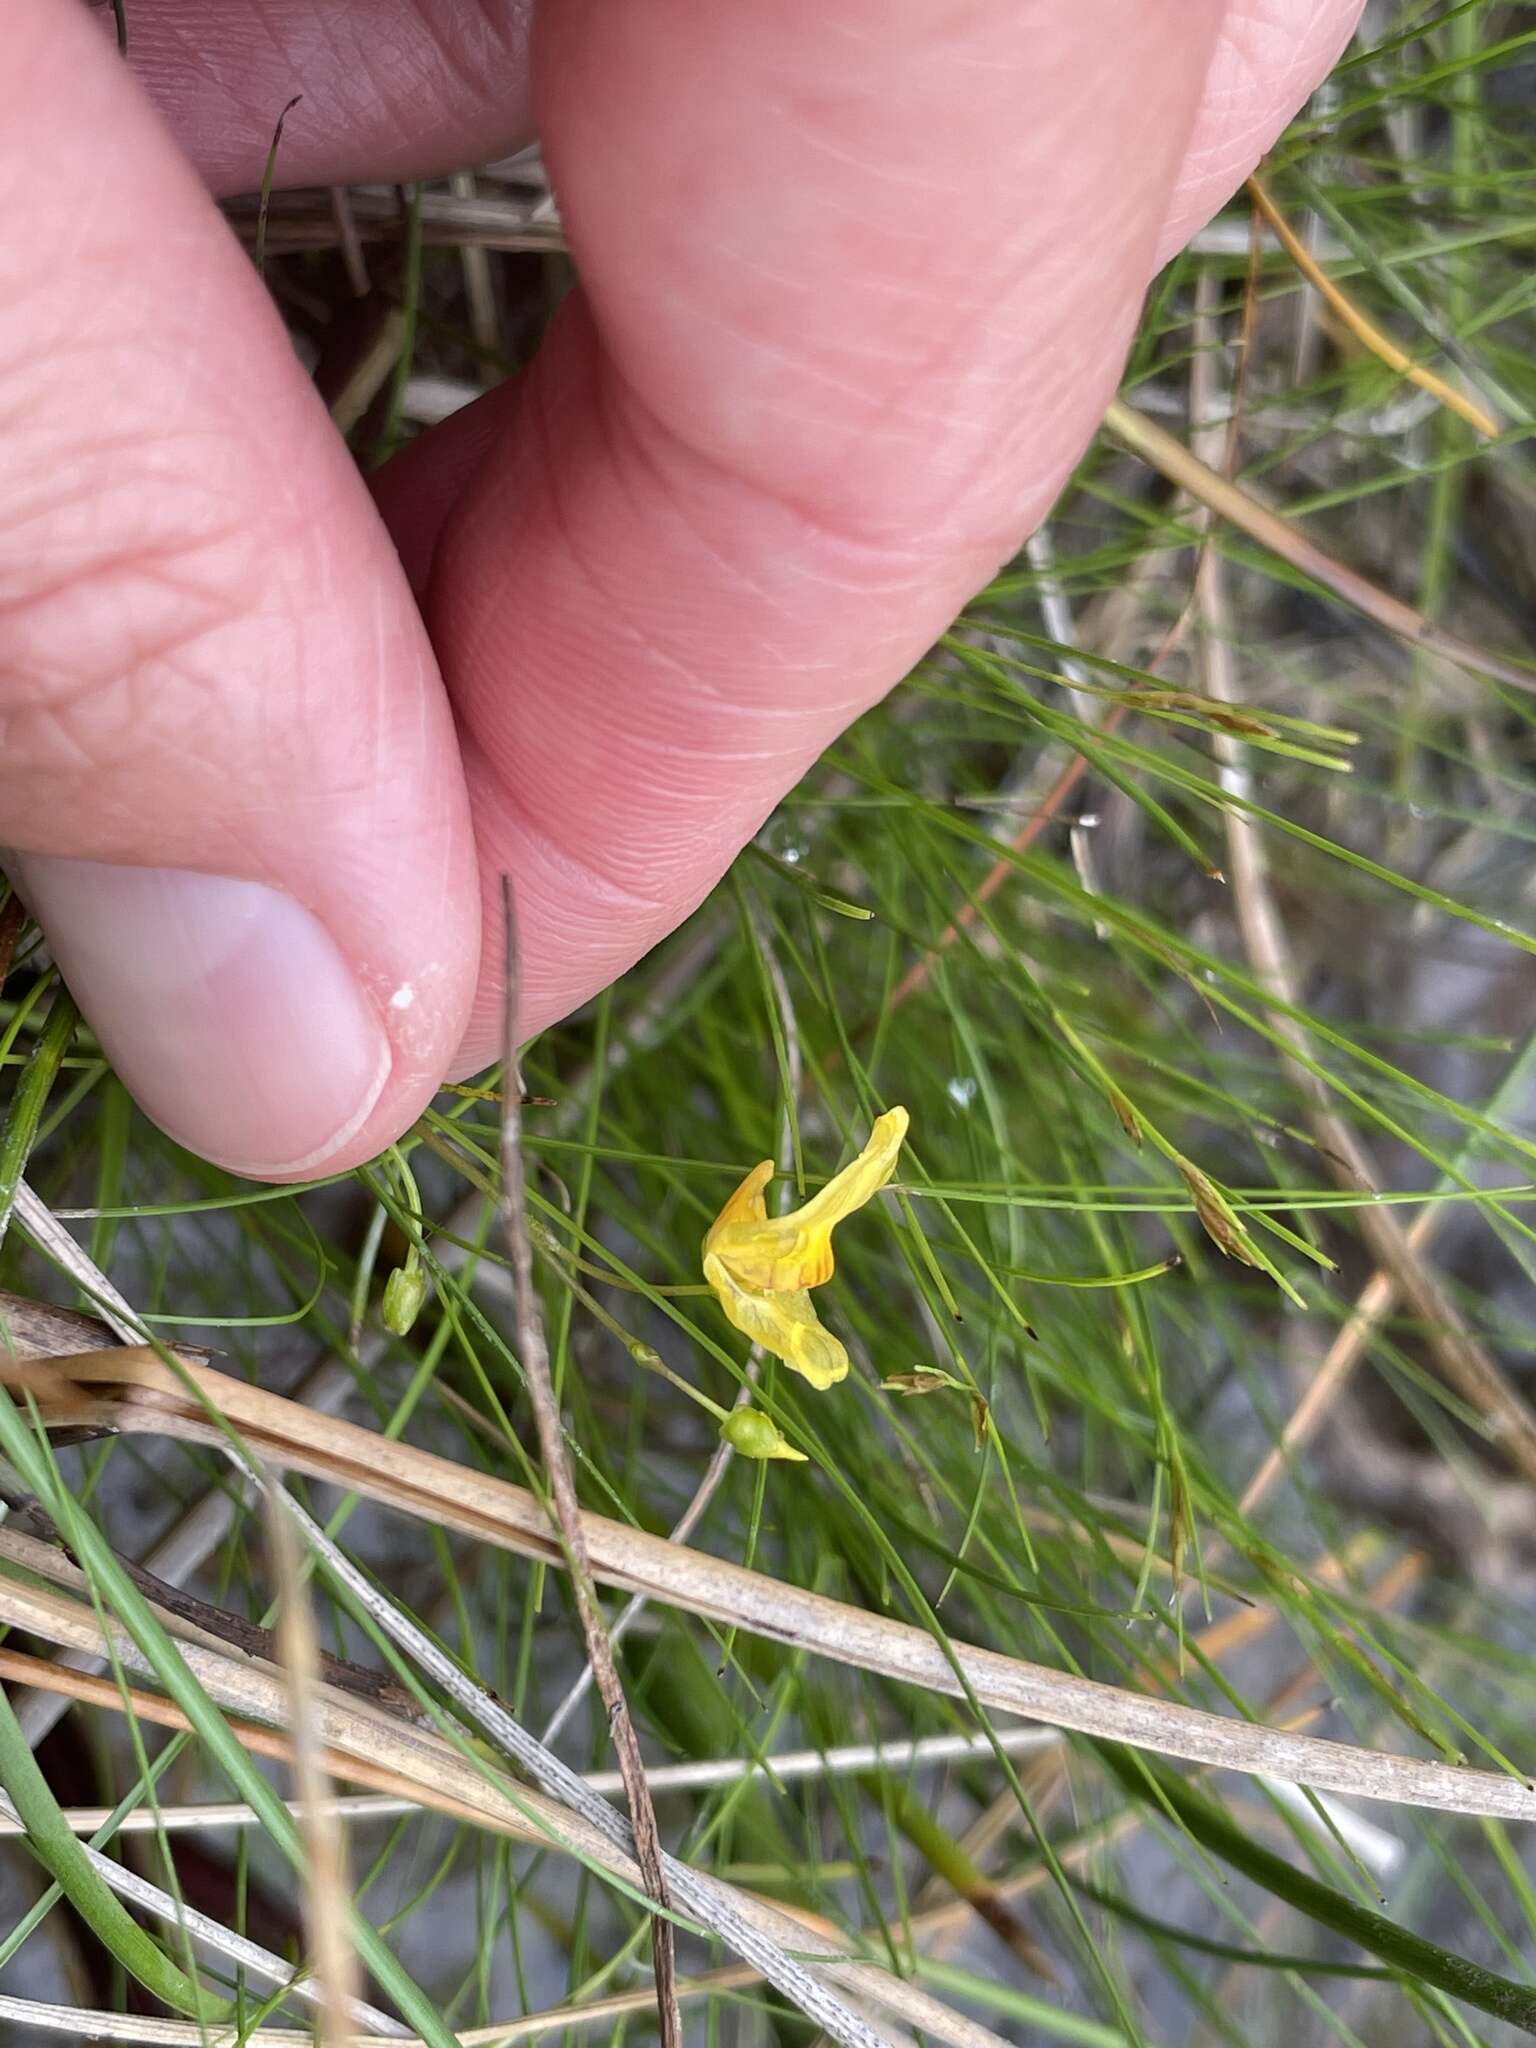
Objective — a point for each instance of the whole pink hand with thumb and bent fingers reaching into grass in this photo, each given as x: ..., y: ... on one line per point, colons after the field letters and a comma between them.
x: 859, y: 278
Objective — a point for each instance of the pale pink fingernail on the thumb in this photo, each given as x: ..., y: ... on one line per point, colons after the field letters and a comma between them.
x: 226, y: 1009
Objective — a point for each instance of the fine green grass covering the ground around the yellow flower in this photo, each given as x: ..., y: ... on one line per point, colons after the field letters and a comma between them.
x: 1105, y: 1095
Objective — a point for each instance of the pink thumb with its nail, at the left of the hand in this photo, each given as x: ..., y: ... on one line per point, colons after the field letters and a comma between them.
x: 228, y: 775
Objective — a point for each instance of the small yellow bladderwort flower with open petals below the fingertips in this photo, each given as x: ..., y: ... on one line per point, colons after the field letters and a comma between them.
x: 763, y: 1269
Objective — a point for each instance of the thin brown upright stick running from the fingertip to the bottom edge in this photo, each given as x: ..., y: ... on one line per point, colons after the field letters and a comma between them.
x: 566, y: 1510
